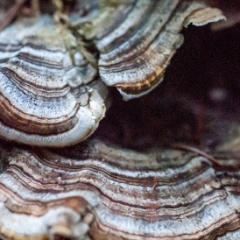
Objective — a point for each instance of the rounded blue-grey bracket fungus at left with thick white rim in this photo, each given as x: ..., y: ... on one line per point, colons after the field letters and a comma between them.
x: 48, y: 91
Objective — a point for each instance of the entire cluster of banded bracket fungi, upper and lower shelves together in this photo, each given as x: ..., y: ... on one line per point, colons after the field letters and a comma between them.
x: 55, y: 181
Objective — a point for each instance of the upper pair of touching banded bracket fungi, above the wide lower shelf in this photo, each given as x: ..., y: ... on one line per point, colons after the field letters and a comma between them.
x: 50, y: 91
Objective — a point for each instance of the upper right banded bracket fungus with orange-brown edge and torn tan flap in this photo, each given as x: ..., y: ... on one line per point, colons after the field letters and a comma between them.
x: 137, y: 42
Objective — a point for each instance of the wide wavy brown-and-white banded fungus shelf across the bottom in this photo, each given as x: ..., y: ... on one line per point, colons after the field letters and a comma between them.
x: 95, y: 191
